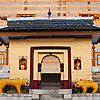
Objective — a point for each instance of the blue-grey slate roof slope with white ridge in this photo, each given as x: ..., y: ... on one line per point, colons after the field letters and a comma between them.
x: 35, y: 23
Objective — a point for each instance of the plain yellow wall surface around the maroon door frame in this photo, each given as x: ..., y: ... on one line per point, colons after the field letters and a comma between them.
x: 80, y: 47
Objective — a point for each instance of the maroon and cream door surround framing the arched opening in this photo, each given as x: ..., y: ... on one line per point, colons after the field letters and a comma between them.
x: 38, y: 54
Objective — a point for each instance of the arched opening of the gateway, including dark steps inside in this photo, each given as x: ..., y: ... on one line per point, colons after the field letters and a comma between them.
x: 50, y: 72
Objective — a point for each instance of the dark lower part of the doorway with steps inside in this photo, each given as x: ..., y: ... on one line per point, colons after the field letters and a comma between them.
x: 50, y: 81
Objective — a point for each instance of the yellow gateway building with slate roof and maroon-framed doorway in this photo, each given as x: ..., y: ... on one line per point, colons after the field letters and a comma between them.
x: 50, y: 51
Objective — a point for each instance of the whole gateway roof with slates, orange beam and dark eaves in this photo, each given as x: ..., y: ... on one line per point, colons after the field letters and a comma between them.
x: 92, y: 31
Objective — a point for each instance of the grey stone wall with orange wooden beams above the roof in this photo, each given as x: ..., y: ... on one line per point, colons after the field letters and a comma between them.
x: 57, y: 7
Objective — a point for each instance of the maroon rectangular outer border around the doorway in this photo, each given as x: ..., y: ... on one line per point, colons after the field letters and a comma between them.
x: 34, y: 83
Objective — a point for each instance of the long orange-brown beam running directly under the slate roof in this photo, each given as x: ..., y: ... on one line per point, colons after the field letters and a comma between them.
x: 49, y: 32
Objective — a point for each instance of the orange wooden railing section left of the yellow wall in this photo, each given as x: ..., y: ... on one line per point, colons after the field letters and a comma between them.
x: 4, y: 59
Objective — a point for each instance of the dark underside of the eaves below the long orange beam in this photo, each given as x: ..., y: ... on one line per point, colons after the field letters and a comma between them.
x: 5, y: 39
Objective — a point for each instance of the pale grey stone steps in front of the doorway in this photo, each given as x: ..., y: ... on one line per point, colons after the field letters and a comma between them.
x: 57, y: 94
